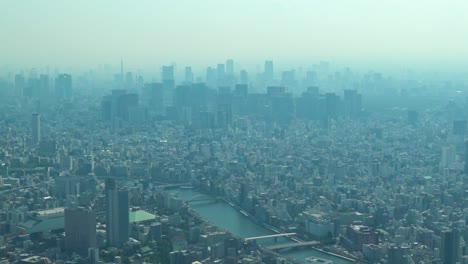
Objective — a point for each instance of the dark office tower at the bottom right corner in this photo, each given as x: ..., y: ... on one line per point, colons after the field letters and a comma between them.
x: 450, y: 248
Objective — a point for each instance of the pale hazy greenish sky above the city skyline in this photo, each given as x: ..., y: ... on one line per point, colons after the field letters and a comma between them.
x: 145, y: 32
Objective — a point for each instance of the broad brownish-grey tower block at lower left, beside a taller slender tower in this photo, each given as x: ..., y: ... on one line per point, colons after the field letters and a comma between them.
x: 80, y: 230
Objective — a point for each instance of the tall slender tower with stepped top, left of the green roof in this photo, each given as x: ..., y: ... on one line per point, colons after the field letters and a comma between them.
x: 117, y: 214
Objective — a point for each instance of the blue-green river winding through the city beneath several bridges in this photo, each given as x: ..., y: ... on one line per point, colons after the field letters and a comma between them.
x: 226, y: 217
